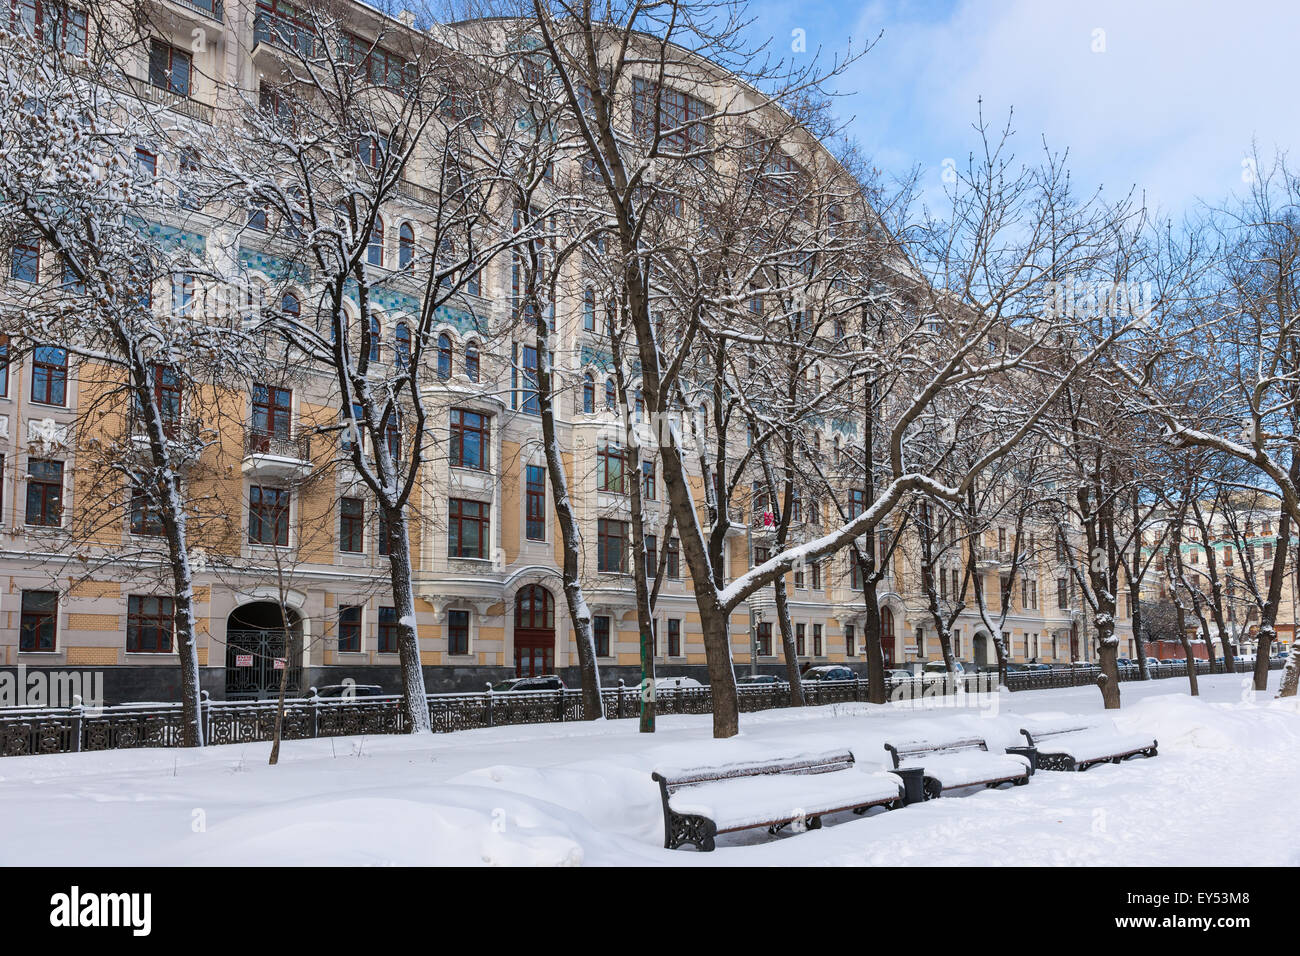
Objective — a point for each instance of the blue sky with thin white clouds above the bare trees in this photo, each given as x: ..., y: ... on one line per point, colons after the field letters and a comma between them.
x: 1171, y: 103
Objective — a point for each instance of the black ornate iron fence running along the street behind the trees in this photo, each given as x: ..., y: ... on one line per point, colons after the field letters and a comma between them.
x: 70, y: 730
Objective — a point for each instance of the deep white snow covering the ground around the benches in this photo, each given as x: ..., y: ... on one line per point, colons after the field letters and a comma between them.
x: 1219, y: 794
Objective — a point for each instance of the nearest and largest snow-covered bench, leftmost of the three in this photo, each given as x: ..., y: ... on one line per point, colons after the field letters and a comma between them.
x: 700, y: 803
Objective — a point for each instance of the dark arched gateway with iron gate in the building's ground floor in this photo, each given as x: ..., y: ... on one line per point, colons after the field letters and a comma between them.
x: 258, y: 638
